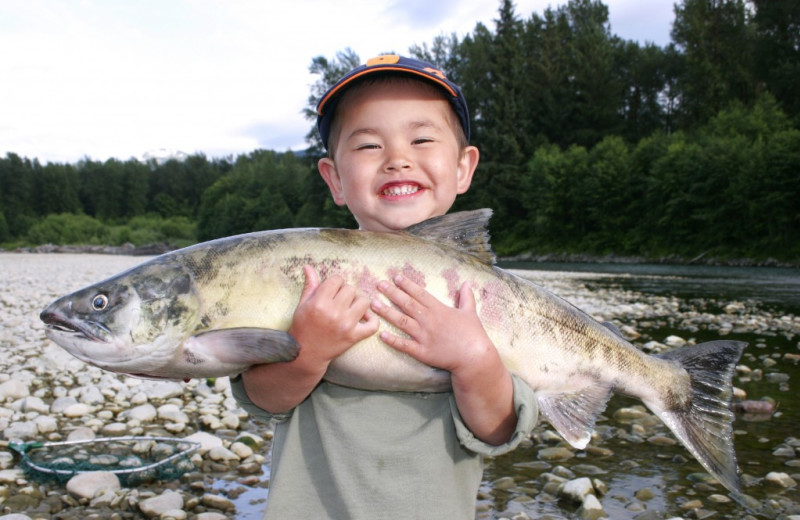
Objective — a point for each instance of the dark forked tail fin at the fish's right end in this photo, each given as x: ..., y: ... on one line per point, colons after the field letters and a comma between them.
x: 705, y: 424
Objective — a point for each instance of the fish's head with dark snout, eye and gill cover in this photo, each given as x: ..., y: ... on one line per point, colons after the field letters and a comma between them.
x: 128, y: 322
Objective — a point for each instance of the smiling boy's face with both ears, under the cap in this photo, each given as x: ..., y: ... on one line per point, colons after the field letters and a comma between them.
x: 396, y: 160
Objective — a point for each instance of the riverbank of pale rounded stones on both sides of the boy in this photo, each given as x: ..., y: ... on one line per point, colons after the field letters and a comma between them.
x: 46, y: 395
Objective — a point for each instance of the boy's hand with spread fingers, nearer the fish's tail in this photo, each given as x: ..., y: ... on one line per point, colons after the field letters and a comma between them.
x: 450, y: 338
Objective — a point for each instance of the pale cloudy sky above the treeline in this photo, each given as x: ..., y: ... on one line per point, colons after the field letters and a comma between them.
x: 104, y: 79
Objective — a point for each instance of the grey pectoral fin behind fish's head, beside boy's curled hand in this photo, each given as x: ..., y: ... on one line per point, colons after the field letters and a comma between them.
x: 248, y: 345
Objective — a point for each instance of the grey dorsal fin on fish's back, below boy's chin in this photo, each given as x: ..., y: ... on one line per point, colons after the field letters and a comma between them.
x: 466, y: 231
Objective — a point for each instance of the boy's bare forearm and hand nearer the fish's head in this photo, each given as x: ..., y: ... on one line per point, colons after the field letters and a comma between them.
x: 330, y: 318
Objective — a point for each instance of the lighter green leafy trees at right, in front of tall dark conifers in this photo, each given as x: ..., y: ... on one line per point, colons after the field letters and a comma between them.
x: 725, y: 189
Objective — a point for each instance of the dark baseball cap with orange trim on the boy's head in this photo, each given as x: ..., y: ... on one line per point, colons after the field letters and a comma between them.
x: 387, y: 64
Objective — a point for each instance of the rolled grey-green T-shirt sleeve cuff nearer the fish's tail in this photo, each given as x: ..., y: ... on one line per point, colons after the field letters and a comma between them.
x: 527, y: 417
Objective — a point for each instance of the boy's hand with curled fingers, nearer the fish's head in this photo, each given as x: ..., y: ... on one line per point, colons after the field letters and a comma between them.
x: 330, y: 318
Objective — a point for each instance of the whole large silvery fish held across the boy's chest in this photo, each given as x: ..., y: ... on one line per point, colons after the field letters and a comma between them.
x: 215, y: 308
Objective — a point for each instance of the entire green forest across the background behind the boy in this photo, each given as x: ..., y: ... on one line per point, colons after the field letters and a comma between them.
x: 590, y: 145
